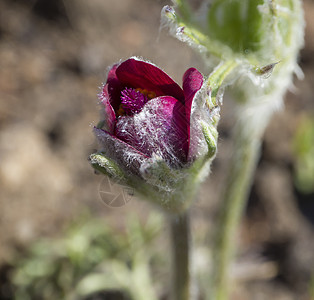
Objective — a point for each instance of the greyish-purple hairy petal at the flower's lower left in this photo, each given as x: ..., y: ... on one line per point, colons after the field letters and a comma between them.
x: 120, y: 152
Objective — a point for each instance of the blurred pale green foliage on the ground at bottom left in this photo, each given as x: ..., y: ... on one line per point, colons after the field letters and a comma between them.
x: 89, y: 258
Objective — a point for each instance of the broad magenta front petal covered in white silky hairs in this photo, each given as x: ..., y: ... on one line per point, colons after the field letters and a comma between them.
x: 159, y: 129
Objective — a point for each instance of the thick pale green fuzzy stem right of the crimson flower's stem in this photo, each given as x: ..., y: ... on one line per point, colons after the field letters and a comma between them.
x: 239, y: 180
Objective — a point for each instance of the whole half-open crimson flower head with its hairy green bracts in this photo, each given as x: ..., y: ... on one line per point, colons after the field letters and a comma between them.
x: 151, y: 132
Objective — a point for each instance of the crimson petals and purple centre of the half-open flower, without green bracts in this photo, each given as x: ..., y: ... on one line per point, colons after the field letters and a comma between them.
x: 144, y: 109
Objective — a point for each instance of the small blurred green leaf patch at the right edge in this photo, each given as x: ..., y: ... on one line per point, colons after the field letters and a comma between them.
x: 304, y: 152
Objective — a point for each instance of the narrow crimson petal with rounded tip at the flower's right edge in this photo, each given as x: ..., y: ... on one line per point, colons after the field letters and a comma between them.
x: 192, y: 82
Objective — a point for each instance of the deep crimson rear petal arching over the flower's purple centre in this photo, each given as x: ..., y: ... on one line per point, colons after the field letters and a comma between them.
x: 139, y: 74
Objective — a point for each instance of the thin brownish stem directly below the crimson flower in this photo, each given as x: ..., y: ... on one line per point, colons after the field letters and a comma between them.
x: 180, y: 237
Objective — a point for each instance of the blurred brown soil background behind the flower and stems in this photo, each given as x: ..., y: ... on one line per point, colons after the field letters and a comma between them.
x: 55, y: 229
